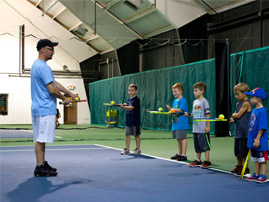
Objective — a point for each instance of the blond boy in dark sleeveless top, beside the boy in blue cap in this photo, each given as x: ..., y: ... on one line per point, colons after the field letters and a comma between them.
x: 241, y: 119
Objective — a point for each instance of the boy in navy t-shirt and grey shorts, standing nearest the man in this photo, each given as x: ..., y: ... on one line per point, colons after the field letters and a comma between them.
x: 132, y: 120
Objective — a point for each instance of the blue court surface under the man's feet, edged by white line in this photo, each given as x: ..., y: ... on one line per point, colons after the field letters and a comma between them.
x: 97, y: 173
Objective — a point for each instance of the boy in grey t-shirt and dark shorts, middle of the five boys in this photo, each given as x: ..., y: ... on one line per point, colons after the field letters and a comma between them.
x: 201, y: 129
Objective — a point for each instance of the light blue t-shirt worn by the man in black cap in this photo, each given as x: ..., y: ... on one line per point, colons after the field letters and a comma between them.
x: 43, y: 103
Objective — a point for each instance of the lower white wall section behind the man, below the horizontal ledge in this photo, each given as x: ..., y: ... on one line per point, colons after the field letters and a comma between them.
x: 19, y: 100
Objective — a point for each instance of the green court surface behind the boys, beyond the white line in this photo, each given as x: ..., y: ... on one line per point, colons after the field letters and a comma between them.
x: 156, y: 143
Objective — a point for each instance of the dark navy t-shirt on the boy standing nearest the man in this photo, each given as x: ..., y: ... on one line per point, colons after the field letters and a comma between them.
x: 133, y: 116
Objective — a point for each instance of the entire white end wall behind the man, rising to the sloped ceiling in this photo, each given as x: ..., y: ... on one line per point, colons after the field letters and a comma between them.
x: 18, y: 88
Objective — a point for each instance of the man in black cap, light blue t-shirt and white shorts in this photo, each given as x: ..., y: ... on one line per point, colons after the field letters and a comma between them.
x: 44, y: 91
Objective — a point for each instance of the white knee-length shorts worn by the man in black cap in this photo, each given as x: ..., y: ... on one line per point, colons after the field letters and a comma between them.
x: 44, y: 128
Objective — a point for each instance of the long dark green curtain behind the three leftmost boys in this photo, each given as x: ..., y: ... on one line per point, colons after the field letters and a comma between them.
x: 154, y: 91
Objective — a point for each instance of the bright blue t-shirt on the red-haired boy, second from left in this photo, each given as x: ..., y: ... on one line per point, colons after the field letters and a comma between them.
x: 181, y: 122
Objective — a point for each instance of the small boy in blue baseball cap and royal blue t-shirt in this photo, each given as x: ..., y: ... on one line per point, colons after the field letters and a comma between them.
x: 257, y: 135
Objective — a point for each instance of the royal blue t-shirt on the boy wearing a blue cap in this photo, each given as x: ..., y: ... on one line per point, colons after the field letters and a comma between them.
x: 258, y: 121
